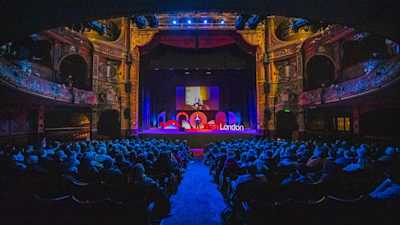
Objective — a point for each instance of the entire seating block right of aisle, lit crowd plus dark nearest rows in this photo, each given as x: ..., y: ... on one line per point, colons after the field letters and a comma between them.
x: 304, y: 182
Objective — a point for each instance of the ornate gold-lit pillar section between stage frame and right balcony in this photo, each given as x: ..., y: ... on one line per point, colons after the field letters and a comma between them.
x: 284, y: 66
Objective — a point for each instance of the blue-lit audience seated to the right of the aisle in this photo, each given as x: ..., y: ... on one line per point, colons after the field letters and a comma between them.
x: 303, y: 170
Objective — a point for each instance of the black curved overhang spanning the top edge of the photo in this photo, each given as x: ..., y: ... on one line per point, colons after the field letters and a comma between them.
x: 33, y: 16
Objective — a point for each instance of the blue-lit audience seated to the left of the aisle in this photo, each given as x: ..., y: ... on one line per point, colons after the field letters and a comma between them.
x: 129, y: 169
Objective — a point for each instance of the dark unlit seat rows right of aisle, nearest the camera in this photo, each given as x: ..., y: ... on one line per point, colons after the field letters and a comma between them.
x: 327, y: 209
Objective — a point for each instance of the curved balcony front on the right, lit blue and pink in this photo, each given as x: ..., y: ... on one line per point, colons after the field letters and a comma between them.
x: 380, y: 76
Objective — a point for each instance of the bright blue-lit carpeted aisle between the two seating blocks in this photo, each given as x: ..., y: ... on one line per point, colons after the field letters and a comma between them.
x: 198, y: 201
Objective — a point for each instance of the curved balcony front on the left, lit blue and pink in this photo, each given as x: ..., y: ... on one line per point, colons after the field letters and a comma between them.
x: 13, y: 76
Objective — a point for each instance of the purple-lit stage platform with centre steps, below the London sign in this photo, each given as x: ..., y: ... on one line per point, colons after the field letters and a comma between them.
x: 199, y: 138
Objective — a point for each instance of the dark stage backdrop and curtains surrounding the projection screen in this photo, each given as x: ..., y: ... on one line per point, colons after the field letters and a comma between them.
x: 162, y: 72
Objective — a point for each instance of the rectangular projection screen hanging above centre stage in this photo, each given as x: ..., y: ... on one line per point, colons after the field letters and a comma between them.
x: 205, y: 98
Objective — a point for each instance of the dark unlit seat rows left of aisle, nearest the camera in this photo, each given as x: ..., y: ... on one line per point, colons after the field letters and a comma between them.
x: 74, y: 202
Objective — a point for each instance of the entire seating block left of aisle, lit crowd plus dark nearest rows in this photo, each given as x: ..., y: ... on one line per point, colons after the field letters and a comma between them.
x: 97, y: 182
